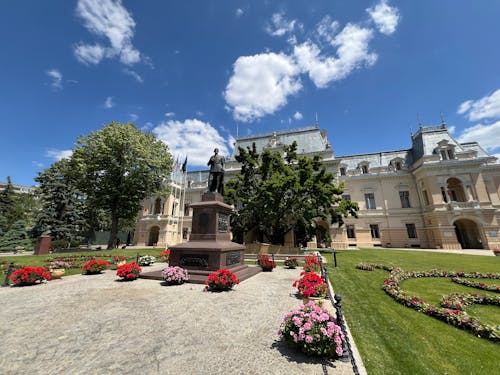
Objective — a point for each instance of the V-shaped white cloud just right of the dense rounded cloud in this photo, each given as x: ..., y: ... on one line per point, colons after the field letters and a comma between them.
x: 352, y: 52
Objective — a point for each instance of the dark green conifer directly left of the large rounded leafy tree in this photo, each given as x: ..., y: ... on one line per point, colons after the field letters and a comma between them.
x: 62, y: 205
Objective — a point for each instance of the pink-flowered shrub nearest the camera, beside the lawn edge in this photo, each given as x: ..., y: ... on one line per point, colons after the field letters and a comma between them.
x: 313, y: 331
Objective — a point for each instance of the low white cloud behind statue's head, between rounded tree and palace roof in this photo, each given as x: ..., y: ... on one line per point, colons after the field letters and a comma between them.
x: 193, y: 138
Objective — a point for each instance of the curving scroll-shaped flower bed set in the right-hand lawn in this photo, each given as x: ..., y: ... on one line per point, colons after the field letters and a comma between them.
x: 455, y: 316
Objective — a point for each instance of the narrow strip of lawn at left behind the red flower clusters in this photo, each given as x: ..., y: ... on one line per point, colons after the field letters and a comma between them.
x: 41, y: 260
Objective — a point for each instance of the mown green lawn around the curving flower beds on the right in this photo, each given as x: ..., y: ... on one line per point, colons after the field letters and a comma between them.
x: 394, y: 339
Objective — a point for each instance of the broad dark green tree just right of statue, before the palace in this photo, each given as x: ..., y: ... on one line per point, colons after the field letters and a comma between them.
x: 276, y: 194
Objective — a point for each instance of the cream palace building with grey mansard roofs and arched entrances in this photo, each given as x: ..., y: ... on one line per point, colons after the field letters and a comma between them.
x: 438, y: 193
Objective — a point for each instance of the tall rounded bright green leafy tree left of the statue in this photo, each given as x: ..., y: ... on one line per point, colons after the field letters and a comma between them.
x: 117, y: 167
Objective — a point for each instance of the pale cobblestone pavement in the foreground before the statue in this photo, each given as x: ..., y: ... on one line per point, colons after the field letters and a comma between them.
x: 98, y: 325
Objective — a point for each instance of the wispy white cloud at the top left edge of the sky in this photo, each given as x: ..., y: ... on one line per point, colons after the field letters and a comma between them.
x: 107, y: 19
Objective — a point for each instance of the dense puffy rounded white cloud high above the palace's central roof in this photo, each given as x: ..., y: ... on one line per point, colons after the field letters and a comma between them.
x: 260, y: 85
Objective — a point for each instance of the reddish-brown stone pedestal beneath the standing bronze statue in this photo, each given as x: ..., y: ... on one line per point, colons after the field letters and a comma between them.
x: 209, y: 248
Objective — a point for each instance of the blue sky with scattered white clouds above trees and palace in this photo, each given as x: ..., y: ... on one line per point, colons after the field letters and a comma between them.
x: 197, y: 72
